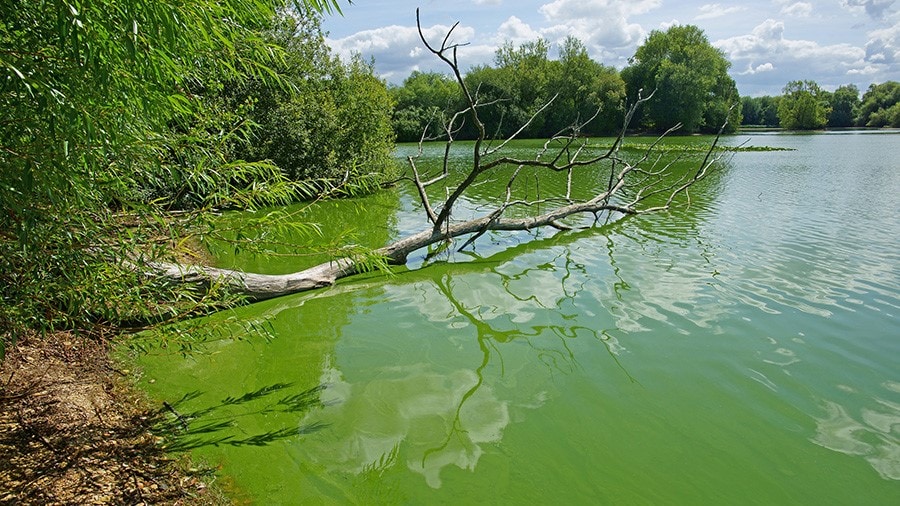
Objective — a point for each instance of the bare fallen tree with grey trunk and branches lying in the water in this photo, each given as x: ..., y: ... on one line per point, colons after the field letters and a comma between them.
x: 631, y: 187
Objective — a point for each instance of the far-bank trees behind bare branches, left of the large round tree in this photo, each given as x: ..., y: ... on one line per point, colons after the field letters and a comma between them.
x: 522, y: 81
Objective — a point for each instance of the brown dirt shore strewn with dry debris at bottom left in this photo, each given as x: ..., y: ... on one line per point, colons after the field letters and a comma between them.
x: 73, y: 432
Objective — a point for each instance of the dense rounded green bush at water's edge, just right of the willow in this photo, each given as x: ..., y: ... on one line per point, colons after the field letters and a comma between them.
x: 328, y: 122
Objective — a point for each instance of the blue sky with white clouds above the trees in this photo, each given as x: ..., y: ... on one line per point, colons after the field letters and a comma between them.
x: 768, y: 42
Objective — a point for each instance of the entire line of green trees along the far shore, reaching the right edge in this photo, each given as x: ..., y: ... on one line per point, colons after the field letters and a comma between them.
x: 687, y: 75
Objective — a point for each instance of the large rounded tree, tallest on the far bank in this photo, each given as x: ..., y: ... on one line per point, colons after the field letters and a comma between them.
x: 690, y: 78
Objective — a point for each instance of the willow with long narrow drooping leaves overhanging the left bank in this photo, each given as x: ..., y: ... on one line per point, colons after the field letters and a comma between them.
x: 96, y: 108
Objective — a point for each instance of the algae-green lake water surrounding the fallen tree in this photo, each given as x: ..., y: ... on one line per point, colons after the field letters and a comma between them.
x: 745, y: 350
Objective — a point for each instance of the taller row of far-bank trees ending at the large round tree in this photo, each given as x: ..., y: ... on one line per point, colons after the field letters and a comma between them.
x: 689, y: 77
